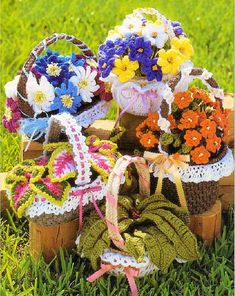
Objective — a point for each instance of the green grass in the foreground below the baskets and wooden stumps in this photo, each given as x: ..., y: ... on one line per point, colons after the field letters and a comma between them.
x: 66, y: 275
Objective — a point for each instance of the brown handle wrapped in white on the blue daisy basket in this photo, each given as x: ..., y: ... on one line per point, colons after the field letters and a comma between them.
x: 21, y: 87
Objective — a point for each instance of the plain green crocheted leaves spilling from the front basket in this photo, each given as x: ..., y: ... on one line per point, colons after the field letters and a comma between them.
x: 153, y: 225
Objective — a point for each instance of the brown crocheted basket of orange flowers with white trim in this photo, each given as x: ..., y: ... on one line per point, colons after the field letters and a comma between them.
x: 196, y: 128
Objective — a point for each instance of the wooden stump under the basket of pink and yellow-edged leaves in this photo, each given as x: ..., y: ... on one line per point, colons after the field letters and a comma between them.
x: 49, y: 240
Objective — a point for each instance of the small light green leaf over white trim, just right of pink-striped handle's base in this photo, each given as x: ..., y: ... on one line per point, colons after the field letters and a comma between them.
x: 135, y: 247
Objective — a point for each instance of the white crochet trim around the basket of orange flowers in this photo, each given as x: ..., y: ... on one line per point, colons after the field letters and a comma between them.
x: 209, y: 172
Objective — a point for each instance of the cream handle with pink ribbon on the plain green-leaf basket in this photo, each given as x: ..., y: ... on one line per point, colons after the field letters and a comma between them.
x: 114, y: 183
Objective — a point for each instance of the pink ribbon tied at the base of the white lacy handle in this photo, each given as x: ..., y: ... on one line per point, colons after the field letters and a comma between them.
x: 81, y: 192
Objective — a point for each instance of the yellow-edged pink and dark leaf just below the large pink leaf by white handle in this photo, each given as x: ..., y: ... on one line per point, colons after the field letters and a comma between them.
x: 55, y: 192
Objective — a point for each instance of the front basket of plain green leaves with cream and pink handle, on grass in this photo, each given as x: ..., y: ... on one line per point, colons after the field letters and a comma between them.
x: 117, y: 259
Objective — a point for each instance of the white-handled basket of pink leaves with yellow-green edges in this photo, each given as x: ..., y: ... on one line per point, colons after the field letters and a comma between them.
x: 76, y: 176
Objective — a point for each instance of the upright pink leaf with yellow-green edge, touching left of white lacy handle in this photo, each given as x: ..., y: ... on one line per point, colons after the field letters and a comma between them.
x: 61, y: 165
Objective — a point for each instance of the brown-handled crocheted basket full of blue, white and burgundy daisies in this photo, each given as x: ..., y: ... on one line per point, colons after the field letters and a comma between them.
x: 53, y: 84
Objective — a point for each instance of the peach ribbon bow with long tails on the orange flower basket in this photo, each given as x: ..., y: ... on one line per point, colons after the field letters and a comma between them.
x: 169, y: 164
